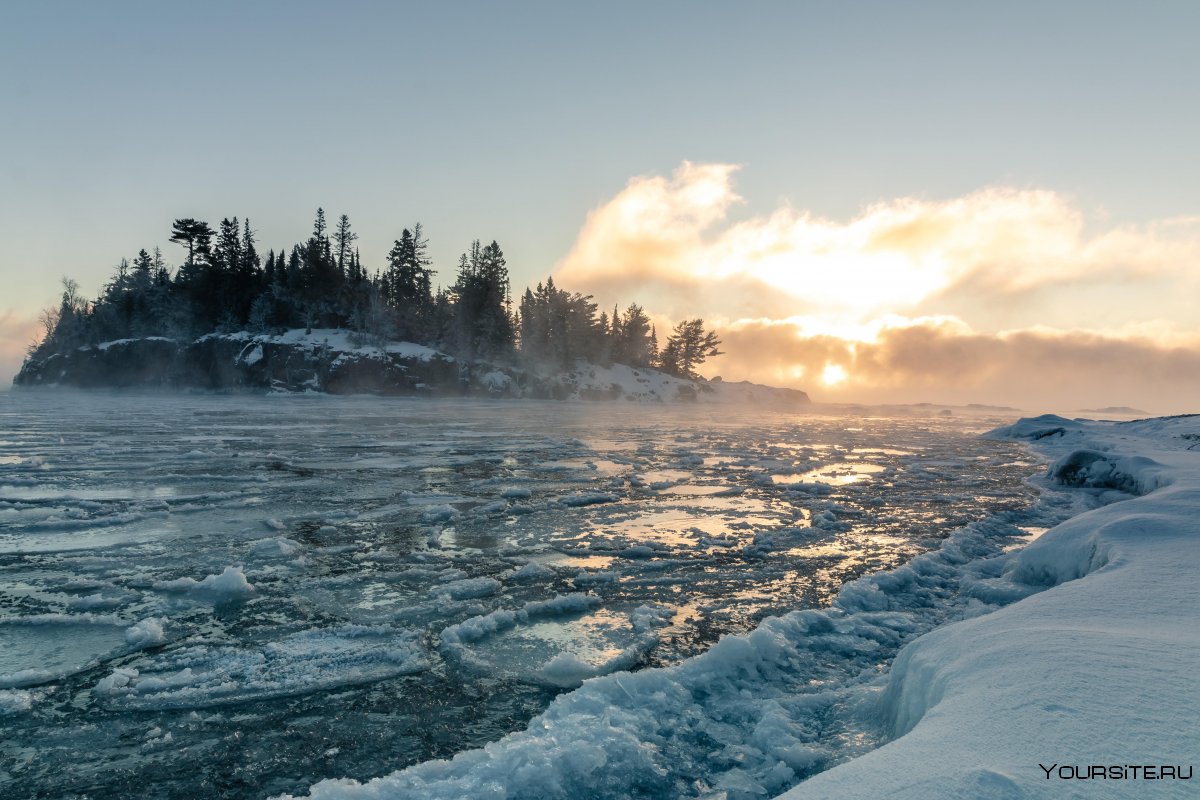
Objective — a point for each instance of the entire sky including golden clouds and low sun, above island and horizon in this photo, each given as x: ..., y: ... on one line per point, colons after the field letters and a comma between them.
x: 874, y: 202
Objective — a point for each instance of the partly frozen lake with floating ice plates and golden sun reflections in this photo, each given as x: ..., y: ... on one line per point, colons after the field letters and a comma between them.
x: 241, y: 597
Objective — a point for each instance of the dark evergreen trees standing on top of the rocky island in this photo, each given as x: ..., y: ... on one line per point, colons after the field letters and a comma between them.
x: 225, y: 285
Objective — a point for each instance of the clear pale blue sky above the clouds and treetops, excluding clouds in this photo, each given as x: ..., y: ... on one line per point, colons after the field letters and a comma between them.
x: 513, y: 122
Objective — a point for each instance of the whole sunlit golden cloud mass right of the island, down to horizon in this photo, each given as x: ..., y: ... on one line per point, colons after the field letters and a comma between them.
x: 1004, y: 293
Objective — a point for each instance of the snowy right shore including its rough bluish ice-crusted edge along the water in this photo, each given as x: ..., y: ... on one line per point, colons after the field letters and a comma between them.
x: 1075, y: 652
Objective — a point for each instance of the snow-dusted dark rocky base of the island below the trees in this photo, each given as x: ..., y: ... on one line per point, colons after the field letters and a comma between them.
x: 332, y: 362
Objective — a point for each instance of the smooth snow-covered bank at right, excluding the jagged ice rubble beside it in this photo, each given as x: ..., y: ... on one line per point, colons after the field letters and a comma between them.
x: 1088, y: 689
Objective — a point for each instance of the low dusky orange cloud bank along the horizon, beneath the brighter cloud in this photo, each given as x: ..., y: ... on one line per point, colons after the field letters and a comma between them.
x: 944, y: 360
